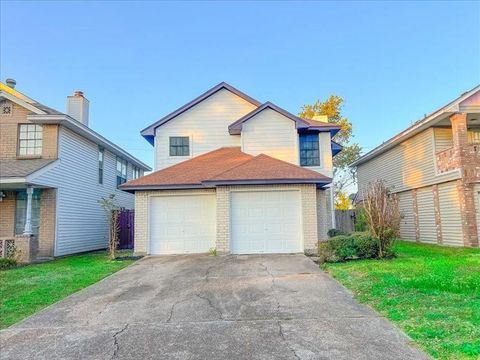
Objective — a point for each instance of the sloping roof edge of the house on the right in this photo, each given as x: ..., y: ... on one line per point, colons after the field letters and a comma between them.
x: 418, y: 126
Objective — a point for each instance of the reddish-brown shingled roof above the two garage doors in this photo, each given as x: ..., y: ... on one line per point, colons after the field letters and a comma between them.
x: 228, y: 165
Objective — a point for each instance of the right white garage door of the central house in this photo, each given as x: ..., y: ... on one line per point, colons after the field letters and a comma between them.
x: 266, y: 222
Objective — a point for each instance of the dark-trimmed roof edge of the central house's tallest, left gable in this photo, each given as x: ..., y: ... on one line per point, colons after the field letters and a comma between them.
x: 149, y: 132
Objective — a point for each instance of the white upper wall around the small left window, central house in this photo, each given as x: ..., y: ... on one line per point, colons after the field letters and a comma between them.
x: 206, y: 124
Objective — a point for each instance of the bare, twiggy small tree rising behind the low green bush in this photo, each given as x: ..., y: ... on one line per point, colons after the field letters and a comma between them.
x: 383, y: 214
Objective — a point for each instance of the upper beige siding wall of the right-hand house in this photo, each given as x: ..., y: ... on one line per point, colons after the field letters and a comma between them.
x: 407, y: 166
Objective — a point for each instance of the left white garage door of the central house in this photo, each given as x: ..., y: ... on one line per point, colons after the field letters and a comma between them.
x: 182, y: 224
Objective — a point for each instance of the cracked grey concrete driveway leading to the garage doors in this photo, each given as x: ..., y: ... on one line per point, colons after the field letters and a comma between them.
x: 203, y: 307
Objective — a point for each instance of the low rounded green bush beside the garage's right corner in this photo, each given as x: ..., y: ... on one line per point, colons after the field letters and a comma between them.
x: 348, y: 247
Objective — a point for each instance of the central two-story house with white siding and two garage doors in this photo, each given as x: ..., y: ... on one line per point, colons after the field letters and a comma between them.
x: 236, y: 175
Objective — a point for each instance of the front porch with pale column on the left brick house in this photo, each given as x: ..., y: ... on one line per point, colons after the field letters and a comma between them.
x: 27, y: 222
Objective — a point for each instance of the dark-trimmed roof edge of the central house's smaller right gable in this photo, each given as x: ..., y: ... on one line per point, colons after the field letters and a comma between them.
x: 303, y: 124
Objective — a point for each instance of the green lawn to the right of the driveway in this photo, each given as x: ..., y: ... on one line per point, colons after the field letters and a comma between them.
x: 431, y: 292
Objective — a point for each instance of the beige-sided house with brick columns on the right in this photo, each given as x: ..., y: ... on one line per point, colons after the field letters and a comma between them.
x: 434, y: 167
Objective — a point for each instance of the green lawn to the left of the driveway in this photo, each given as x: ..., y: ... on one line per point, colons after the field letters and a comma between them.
x: 28, y: 289
